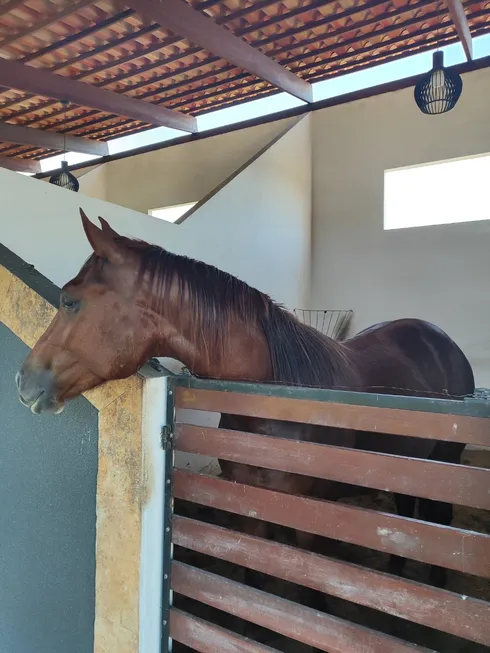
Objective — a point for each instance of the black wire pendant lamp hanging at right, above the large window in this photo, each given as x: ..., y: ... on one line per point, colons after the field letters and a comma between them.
x: 438, y: 90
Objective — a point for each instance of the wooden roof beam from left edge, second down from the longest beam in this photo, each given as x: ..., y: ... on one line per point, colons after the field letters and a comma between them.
x: 41, y: 82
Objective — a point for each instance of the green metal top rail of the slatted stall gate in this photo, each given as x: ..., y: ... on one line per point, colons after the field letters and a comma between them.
x: 474, y: 406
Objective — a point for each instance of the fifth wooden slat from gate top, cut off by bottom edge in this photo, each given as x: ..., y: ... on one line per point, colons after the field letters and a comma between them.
x: 303, y: 624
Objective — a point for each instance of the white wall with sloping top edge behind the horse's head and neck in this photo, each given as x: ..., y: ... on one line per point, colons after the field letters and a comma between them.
x: 257, y: 227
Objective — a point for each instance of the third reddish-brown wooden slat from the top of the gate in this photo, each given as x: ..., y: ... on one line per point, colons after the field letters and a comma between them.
x: 444, y: 546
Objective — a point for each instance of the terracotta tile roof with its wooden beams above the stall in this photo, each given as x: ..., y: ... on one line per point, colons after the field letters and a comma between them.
x: 77, y: 73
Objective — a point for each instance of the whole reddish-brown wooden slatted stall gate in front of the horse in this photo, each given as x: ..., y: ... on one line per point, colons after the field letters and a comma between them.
x: 463, y: 618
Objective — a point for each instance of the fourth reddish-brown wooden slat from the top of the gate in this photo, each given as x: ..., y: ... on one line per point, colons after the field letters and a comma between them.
x: 462, y: 616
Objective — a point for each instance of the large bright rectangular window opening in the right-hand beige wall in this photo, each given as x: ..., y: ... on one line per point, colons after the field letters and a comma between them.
x: 447, y: 192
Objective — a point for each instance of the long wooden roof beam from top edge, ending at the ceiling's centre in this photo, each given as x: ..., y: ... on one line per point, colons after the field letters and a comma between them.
x: 179, y: 17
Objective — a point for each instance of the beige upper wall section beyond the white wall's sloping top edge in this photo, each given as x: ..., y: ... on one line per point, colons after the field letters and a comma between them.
x: 180, y: 174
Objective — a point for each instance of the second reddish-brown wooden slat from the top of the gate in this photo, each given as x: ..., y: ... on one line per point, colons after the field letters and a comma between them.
x: 459, y: 484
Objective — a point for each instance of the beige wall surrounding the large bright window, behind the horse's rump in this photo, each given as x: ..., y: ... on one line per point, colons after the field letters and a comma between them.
x: 437, y: 273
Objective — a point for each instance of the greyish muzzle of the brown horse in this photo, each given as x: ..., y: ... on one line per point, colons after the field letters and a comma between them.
x: 37, y: 390
